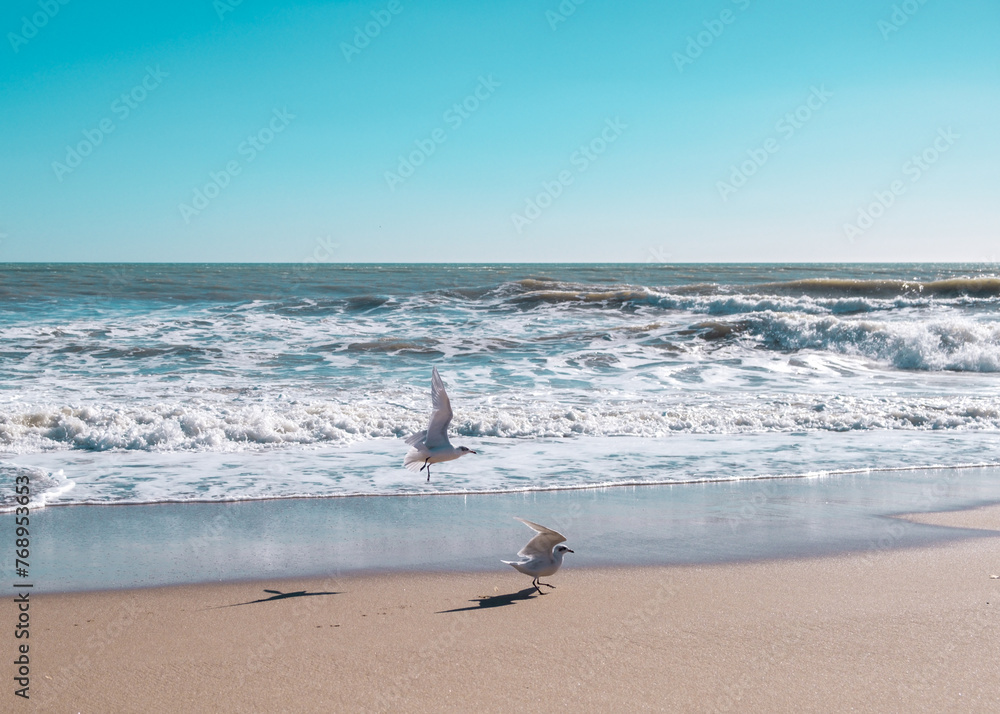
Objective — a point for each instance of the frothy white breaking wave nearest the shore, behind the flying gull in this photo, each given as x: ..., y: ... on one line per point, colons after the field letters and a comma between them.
x: 201, y: 426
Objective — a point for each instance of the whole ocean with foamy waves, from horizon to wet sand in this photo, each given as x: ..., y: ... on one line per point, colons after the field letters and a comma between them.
x: 143, y: 384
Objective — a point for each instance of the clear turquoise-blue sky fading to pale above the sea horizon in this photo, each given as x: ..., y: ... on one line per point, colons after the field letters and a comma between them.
x: 664, y: 119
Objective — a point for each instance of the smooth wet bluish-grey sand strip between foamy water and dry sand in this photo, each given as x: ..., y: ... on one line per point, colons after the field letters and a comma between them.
x: 103, y: 548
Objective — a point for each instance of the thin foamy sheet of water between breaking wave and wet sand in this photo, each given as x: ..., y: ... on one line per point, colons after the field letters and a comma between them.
x: 372, y: 467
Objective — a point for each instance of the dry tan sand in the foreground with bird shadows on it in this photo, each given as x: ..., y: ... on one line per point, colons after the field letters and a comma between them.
x: 887, y: 630
